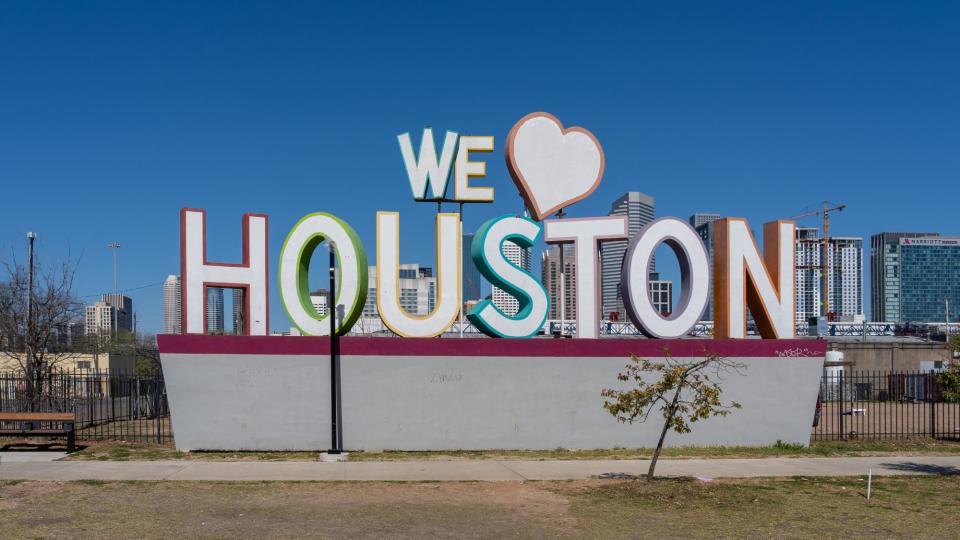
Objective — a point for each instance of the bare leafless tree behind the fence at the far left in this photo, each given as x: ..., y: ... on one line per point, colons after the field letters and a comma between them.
x: 41, y: 344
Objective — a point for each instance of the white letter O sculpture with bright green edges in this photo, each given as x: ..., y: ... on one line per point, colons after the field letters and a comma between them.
x: 295, y: 256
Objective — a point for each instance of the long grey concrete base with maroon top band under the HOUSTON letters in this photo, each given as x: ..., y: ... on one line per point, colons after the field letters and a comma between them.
x: 243, y: 393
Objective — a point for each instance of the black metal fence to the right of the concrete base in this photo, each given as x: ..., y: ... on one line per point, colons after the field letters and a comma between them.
x: 884, y: 405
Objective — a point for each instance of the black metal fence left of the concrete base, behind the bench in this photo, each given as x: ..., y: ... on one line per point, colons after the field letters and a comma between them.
x: 109, y: 405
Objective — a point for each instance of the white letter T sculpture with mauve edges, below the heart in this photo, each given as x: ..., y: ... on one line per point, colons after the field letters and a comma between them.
x: 586, y: 235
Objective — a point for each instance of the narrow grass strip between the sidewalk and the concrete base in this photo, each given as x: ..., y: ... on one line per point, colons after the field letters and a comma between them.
x: 118, y: 451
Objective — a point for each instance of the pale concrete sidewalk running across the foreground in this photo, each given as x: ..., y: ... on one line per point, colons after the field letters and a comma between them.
x: 466, y: 470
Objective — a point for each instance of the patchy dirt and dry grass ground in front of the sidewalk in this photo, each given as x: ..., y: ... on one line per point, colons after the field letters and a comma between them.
x: 915, y: 507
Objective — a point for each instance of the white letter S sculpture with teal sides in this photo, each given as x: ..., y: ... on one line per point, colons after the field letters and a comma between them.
x: 487, y: 254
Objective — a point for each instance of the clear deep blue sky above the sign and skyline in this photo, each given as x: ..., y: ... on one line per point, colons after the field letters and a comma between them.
x: 113, y: 116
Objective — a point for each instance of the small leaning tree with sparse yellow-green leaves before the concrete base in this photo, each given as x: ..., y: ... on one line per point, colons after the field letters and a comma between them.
x: 684, y: 394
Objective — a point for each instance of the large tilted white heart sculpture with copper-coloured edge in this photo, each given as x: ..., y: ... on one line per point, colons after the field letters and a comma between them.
x: 553, y: 167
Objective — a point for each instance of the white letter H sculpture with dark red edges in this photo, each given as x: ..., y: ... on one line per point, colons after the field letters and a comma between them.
x: 198, y: 274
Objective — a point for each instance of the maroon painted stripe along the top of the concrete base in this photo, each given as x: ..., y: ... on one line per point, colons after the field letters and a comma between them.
x: 384, y: 346
